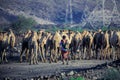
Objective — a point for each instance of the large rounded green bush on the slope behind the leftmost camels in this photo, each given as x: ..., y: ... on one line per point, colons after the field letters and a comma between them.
x: 23, y: 24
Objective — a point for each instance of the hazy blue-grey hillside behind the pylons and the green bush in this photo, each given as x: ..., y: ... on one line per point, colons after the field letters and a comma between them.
x: 54, y: 11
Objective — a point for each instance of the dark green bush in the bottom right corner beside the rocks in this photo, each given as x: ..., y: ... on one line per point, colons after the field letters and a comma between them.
x: 112, y: 74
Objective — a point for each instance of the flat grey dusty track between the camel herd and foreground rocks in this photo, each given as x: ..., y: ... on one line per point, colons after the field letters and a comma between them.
x: 24, y: 70
